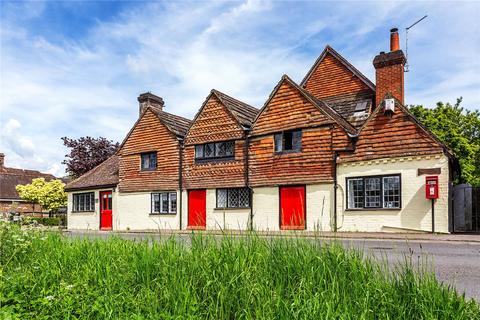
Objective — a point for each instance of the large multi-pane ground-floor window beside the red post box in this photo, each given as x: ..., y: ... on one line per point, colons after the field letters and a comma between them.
x: 374, y: 192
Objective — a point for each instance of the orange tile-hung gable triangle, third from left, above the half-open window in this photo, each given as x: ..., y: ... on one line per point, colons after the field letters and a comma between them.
x: 287, y: 109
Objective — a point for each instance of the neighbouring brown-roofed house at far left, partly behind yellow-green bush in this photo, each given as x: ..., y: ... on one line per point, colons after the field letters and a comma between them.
x: 10, y: 201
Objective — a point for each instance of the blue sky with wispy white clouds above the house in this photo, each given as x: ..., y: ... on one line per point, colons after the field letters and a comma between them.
x: 75, y: 68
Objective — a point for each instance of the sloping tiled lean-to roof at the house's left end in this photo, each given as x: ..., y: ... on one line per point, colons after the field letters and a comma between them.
x: 103, y: 175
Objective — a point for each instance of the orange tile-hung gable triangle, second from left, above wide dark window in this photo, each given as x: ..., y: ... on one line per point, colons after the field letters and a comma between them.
x: 213, y: 123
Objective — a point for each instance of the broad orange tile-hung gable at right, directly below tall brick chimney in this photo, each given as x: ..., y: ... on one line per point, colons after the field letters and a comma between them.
x: 396, y: 136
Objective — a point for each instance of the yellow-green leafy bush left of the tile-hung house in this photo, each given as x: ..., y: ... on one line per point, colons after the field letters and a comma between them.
x: 49, y: 194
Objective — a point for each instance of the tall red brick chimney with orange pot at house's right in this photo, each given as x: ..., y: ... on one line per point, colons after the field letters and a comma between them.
x: 389, y: 72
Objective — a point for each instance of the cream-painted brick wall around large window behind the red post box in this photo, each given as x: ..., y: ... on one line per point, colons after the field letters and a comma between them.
x: 415, y: 214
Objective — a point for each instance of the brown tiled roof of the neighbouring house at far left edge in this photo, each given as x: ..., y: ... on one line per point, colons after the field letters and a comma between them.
x: 11, y: 177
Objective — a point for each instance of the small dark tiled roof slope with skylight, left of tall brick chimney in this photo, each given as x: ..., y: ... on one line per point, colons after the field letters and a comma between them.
x: 347, y: 106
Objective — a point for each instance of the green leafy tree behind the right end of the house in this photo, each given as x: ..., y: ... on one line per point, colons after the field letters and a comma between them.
x: 458, y: 129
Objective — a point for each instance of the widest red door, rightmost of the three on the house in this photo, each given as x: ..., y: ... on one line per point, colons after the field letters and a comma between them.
x: 292, y: 208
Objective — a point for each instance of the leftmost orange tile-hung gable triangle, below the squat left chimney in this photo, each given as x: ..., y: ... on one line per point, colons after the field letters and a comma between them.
x: 148, y: 134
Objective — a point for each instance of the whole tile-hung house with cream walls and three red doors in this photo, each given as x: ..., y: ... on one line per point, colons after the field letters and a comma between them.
x: 335, y: 152
